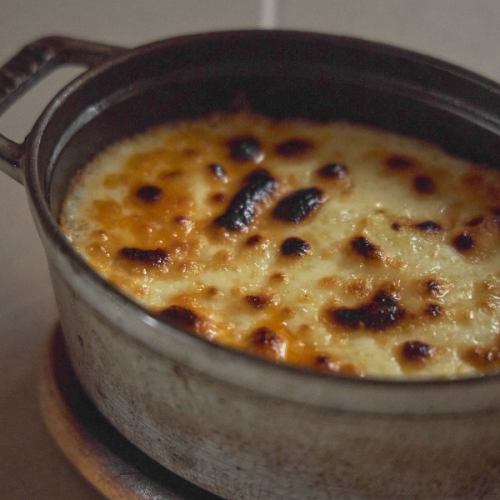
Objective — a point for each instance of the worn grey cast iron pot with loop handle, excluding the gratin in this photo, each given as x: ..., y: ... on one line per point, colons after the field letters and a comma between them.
x: 239, y: 426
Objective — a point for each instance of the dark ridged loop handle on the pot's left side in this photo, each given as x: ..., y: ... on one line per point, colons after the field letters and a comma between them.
x: 31, y: 64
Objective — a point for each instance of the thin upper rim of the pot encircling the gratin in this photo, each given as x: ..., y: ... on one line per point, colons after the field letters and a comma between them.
x: 48, y: 226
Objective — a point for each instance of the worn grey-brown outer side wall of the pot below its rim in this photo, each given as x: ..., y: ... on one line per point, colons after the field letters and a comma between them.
x: 240, y: 444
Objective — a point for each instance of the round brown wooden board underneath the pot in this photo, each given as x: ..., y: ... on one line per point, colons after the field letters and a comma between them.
x: 99, y: 452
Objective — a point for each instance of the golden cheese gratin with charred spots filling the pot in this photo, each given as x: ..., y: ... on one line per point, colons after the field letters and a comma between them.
x: 331, y: 246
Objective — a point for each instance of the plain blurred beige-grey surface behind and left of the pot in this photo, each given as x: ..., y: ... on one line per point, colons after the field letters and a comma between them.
x: 461, y: 31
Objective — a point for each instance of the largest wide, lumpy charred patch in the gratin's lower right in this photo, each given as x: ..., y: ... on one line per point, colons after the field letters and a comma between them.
x: 381, y: 313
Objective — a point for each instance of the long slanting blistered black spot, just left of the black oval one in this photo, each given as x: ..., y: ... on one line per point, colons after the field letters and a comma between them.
x: 258, y: 186
